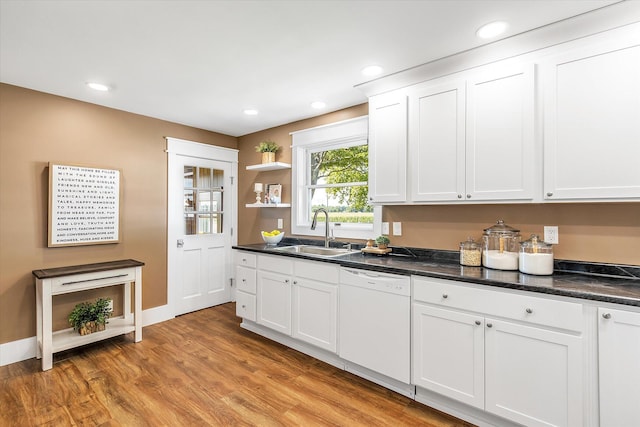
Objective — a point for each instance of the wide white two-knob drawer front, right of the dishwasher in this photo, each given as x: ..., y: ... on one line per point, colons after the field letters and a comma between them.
x: 542, y: 311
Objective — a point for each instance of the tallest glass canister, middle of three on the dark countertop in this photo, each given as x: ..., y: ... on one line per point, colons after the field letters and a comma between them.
x: 500, y: 245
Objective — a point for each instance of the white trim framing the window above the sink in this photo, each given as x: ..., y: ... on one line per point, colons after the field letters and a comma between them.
x: 352, y: 130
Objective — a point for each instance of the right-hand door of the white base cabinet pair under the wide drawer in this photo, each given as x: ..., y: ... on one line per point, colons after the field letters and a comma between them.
x: 533, y: 376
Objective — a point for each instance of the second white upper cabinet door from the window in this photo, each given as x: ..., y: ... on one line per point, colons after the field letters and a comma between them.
x: 437, y: 141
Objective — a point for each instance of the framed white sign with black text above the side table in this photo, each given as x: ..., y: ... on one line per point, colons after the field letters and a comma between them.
x: 84, y: 205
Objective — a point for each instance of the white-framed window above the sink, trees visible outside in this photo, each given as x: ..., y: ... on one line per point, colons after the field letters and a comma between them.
x: 330, y: 170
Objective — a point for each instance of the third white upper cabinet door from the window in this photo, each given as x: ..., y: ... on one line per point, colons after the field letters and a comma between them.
x: 500, y: 151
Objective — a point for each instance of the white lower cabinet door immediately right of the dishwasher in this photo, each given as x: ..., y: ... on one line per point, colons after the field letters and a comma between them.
x: 448, y: 353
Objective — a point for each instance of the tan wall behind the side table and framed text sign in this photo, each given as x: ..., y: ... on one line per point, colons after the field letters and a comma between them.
x: 36, y: 128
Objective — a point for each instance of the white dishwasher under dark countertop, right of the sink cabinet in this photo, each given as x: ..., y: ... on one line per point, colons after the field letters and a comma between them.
x: 375, y: 315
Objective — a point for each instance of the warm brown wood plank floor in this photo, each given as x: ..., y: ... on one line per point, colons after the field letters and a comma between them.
x: 200, y: 369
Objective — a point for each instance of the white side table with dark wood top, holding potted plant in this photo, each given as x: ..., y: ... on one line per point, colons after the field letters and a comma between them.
x: 63, y: 280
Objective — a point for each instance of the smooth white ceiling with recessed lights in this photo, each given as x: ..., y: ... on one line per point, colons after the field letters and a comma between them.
x: 201, y: 63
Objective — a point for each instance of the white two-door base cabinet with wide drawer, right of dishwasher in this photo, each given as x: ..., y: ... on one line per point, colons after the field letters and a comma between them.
x: 515, y: 356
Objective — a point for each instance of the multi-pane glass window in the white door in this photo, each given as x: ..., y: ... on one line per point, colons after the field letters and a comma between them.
x: 203, y: 201
